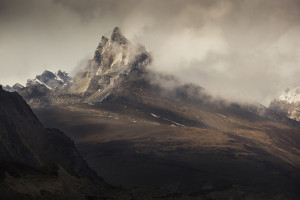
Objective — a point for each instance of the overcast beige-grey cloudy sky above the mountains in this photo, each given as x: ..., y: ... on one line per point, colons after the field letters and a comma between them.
x: 239, y: 49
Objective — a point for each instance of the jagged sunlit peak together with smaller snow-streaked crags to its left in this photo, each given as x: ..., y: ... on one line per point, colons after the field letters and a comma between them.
x: 115, y: 59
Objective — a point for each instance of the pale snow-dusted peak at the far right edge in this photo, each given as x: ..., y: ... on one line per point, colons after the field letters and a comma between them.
x: 288, y: 104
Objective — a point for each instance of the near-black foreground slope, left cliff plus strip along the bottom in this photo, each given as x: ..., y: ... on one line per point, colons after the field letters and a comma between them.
x: 23, y: 139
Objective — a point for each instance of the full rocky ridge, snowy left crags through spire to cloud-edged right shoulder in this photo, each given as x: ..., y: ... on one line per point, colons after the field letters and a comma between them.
x: 118, y: 72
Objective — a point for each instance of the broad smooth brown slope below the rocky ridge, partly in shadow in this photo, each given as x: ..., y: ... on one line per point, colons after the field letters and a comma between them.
x: 134, y: 148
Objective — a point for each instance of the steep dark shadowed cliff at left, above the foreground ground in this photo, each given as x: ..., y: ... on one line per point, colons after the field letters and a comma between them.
x: 24, y: 139
